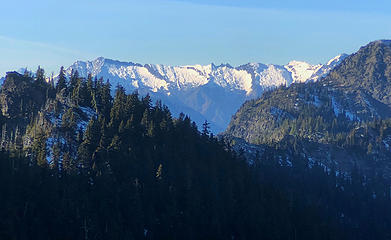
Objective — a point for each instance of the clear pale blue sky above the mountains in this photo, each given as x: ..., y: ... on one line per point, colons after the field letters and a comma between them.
x: 53, y: 33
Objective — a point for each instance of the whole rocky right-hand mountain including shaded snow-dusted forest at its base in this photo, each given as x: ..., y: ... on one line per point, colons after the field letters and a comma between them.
x: 342, y: 118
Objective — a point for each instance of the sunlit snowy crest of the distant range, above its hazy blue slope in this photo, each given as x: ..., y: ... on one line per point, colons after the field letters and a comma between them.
x: 251, y: 78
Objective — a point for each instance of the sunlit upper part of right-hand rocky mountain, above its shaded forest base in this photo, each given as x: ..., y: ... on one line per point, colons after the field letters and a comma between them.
x: 355, y: 91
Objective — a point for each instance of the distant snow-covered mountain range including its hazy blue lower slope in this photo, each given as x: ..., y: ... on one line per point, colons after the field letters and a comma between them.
x: 210, y: 92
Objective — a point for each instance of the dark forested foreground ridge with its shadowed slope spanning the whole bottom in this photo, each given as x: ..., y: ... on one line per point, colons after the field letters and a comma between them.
x: 77, y: 163
